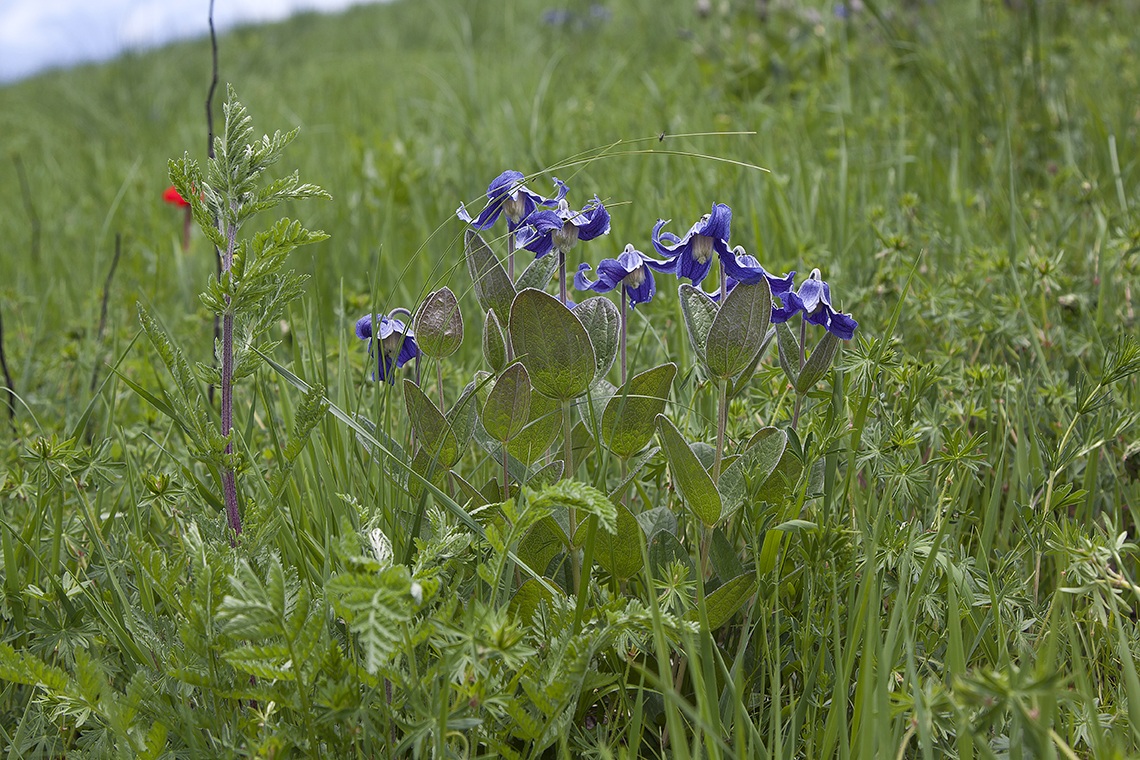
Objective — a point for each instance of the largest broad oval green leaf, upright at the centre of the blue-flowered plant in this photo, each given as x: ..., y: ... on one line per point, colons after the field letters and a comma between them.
x: 552, y: 345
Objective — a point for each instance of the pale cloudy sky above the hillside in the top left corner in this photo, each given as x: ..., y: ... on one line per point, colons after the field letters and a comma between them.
x: 38, y: 35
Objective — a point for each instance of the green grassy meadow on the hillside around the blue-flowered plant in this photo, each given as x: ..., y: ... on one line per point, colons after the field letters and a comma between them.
x: 947, y: 567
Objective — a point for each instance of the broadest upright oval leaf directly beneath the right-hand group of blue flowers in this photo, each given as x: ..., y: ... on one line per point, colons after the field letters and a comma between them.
x: 738, y: 330
